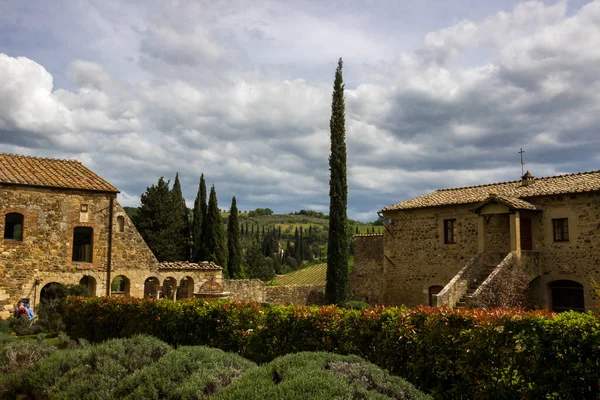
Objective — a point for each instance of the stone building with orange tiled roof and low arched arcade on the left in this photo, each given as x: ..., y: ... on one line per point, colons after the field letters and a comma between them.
x: 62, y: 224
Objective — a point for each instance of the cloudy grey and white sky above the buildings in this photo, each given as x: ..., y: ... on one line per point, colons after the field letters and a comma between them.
x: 438, y: 93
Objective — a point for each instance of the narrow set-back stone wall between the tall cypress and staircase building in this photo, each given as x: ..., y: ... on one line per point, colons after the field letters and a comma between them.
x: 366, y: 279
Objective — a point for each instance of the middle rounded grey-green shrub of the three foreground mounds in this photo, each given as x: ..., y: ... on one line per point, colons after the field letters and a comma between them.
x: 185, y: 373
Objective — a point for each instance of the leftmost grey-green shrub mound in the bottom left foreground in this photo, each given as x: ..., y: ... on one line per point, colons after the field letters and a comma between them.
x: 86, y: 373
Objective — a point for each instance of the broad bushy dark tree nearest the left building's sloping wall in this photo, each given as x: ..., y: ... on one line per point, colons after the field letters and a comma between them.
x: 155, y: 222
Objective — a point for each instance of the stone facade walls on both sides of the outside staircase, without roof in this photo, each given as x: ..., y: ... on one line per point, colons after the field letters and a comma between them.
x: 415, y: 256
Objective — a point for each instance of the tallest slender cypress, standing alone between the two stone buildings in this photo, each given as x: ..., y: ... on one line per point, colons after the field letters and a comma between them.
x: 337, y: 248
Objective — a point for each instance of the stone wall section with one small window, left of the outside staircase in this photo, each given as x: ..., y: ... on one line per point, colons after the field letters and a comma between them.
x: 415, y: 255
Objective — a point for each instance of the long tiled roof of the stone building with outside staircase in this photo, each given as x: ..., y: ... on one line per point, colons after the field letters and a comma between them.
x: 553, y: 185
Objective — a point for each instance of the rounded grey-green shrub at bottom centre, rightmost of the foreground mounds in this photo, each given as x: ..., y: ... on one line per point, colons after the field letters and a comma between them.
x: 319, y: 376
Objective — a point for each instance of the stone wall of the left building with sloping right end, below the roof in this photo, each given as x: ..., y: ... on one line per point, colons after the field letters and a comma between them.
x: 45, y: 253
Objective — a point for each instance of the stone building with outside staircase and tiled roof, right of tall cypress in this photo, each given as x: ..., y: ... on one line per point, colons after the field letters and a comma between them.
x: 448, y: 246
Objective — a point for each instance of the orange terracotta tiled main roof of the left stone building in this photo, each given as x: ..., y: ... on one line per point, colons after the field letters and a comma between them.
x: 50, y: 172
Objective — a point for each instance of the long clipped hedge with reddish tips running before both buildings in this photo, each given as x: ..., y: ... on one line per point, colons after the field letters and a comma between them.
x: 451, y: 353
